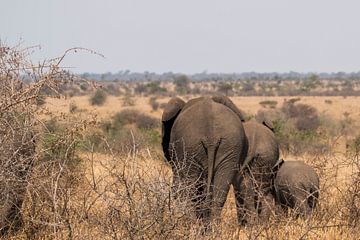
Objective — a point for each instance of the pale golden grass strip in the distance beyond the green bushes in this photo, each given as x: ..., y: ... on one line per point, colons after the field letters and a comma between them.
x: 250, y: 105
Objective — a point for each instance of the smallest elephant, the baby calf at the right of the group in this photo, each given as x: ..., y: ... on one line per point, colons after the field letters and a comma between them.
x: 296, y: 186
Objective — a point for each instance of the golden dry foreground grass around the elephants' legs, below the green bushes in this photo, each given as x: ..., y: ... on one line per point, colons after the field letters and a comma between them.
x: 129, y: 197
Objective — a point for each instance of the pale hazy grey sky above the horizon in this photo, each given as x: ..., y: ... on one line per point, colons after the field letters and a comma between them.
x: 191, y: 35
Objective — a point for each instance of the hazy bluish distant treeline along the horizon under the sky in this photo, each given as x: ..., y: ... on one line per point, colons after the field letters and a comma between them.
x: 204, y: 76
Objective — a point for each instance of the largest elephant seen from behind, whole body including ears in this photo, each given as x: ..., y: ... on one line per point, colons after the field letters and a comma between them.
x: 204, y: 142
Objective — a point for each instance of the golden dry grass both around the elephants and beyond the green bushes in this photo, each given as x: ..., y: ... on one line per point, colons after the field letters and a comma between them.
x: 109, y: 177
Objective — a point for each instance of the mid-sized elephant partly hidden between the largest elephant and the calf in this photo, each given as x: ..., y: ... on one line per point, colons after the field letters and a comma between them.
x: 253, y: 181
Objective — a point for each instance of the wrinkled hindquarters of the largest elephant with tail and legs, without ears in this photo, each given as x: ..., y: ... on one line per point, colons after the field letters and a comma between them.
x: 209, y: 144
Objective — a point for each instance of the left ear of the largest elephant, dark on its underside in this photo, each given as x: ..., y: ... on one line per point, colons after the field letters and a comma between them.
x: 171, y: 111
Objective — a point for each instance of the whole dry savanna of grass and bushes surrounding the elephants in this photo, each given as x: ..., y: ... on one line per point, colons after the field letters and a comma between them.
x: 98, y: 171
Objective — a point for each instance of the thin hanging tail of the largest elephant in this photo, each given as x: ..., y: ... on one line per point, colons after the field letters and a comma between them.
x: 211, y: 150
